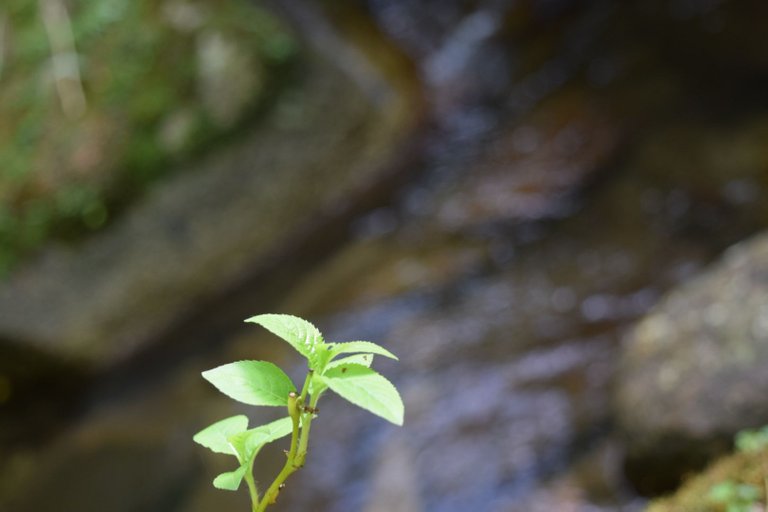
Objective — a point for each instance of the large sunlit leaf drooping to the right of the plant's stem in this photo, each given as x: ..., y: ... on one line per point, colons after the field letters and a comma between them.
x: 367, y: 389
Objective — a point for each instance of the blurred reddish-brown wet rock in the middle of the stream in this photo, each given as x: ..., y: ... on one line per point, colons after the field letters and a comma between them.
x: 533, y: 168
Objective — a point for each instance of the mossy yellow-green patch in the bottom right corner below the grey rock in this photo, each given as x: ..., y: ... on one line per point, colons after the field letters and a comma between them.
x: 717, y: 488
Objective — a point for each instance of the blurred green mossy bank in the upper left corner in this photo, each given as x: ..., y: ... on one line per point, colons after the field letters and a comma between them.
x: 159, y: 79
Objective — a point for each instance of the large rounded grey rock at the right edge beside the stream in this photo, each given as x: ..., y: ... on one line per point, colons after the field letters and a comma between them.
x: 693, y: 371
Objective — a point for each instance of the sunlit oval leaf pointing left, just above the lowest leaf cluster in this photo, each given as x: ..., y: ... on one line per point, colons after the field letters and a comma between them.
x: 252, y: 382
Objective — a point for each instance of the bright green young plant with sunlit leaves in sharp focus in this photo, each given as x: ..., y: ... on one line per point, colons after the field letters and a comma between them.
x: 263, y: 383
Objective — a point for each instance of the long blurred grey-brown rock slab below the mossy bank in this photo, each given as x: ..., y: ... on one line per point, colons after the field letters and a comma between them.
x: 198, y: 232
